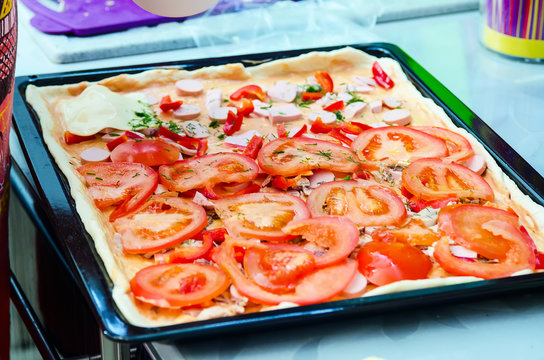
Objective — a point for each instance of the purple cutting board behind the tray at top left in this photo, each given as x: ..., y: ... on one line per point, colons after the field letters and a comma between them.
x: 89, y: 17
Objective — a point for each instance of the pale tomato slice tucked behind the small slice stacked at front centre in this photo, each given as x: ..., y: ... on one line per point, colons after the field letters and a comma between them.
x: 331, y: 239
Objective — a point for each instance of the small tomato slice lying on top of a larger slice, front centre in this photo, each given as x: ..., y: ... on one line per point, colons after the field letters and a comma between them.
x: 278, y: 267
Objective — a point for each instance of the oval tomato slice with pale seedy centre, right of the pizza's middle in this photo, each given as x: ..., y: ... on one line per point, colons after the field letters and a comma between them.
x: 363, y: 202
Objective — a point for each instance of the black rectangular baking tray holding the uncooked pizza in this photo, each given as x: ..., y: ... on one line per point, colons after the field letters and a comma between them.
x: 91, y: 275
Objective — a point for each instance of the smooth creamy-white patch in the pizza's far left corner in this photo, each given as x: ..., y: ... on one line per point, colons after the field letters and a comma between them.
x: 97, y: 108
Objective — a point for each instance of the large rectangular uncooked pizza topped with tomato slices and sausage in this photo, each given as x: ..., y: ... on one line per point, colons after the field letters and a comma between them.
x: 229, y: 190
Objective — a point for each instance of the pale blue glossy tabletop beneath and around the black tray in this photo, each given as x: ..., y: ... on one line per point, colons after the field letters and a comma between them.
x: 509, y: 96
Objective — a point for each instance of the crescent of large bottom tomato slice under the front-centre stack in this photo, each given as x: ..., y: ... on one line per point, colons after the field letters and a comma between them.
x: 318, y: 286
